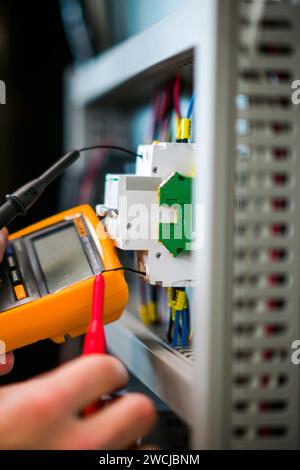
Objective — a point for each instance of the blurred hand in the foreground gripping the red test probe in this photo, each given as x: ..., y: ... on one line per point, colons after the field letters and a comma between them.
x: 45, y: 412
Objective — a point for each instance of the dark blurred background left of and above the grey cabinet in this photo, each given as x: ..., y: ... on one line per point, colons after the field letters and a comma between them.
x: 39, y: 41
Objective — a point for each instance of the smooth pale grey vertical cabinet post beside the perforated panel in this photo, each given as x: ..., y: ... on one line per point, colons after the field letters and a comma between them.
x: 215, y: 124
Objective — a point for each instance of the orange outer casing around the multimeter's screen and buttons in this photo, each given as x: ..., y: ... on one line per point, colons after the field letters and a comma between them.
x: 66, y: 312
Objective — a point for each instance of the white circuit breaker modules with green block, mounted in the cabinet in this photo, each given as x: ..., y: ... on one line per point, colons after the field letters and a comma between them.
x: 150, y: 212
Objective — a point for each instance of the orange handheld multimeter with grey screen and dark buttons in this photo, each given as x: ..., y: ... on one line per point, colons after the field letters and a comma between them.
x: 47, y: 275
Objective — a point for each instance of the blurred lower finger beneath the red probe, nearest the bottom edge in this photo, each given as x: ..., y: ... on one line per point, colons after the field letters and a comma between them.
x: 119, y: 425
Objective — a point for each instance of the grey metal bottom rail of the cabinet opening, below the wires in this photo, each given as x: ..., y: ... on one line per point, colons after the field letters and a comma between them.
x: 167, y: 373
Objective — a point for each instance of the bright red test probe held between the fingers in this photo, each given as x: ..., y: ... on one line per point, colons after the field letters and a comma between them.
x: 94, y: 341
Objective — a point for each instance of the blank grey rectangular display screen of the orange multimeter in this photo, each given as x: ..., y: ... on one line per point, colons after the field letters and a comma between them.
x: 62, y: 258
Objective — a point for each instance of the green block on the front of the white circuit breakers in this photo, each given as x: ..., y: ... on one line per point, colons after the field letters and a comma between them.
x: 176, y: 192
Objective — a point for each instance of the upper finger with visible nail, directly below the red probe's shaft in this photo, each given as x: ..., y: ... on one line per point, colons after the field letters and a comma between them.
x: 84, y: 380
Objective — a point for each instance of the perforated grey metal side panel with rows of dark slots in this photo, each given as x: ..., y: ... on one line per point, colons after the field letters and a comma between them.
x: 265, y: 300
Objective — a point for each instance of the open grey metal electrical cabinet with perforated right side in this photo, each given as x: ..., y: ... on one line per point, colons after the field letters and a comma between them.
x: 235, y: 386
